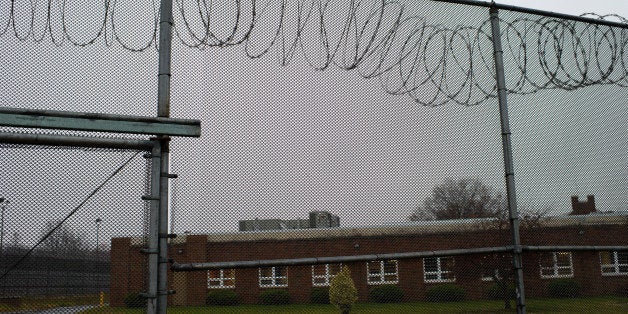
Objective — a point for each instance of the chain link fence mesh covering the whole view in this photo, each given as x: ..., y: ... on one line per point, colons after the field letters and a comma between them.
x: 362, y: 135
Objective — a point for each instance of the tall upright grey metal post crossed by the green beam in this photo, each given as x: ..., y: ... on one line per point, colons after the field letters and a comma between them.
x: 163, y: 110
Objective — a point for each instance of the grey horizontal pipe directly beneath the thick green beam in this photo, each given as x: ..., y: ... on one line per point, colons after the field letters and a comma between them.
x: 73, y: 141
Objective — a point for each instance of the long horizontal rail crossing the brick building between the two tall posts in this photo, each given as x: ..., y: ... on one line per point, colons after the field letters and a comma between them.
x: 334, y: 259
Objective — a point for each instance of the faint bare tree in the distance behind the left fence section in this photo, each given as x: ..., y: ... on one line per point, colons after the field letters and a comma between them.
x: 63, y: 241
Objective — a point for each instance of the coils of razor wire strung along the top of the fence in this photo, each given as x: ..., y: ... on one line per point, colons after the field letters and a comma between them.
x: 410, y: 54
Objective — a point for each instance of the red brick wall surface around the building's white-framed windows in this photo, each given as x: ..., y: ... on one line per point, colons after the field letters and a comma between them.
x: 410, y: 271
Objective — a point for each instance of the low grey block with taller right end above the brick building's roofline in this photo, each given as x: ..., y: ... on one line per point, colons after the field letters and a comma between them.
x: 317, y: 219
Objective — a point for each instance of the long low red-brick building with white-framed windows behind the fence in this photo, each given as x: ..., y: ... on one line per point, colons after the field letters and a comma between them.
x: 604, y: 272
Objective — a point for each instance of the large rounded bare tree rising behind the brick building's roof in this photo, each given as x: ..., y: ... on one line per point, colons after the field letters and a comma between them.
x: 457, y: 199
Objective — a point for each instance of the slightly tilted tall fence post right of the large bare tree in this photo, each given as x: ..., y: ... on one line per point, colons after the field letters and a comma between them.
x: 508, y: 164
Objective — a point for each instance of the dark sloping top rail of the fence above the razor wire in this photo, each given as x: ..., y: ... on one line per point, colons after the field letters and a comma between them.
x: 537, y: 12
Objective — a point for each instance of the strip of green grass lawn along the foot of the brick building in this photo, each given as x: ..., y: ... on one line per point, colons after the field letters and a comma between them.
x: 585, y: 305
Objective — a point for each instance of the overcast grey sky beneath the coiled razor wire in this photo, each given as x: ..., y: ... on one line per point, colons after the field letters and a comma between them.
x: 281, y: 141
